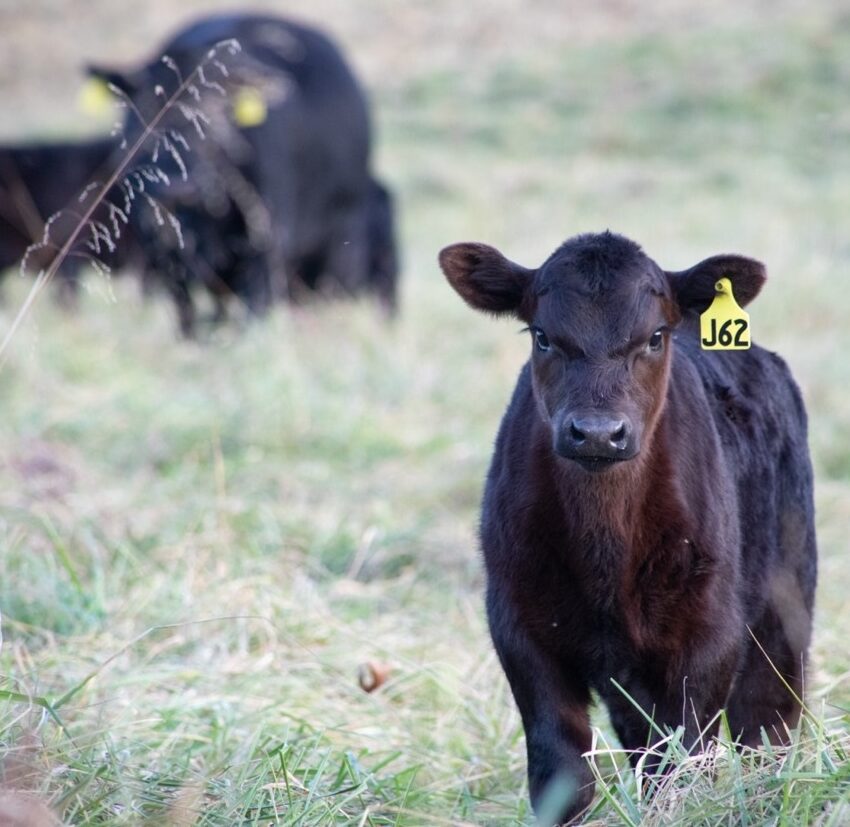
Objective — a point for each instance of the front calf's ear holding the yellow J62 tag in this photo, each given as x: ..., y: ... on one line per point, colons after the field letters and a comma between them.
x: 694, y: 288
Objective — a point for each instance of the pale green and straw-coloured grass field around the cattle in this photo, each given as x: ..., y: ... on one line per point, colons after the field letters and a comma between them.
x: 201, y: 543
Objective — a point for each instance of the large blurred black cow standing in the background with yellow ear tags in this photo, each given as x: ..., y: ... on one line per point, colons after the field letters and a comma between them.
x: 281, y: 207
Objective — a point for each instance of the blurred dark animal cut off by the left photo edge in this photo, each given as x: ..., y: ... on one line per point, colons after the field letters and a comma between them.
x: 38, y: 180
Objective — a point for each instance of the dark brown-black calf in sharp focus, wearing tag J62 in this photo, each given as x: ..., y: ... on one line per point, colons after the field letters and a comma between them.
x: 648, y: 515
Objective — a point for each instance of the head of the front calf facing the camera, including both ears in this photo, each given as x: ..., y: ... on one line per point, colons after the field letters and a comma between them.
x: 600, y: 313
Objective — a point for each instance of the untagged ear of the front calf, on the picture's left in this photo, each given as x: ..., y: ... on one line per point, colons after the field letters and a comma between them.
x: 485, y: 279
